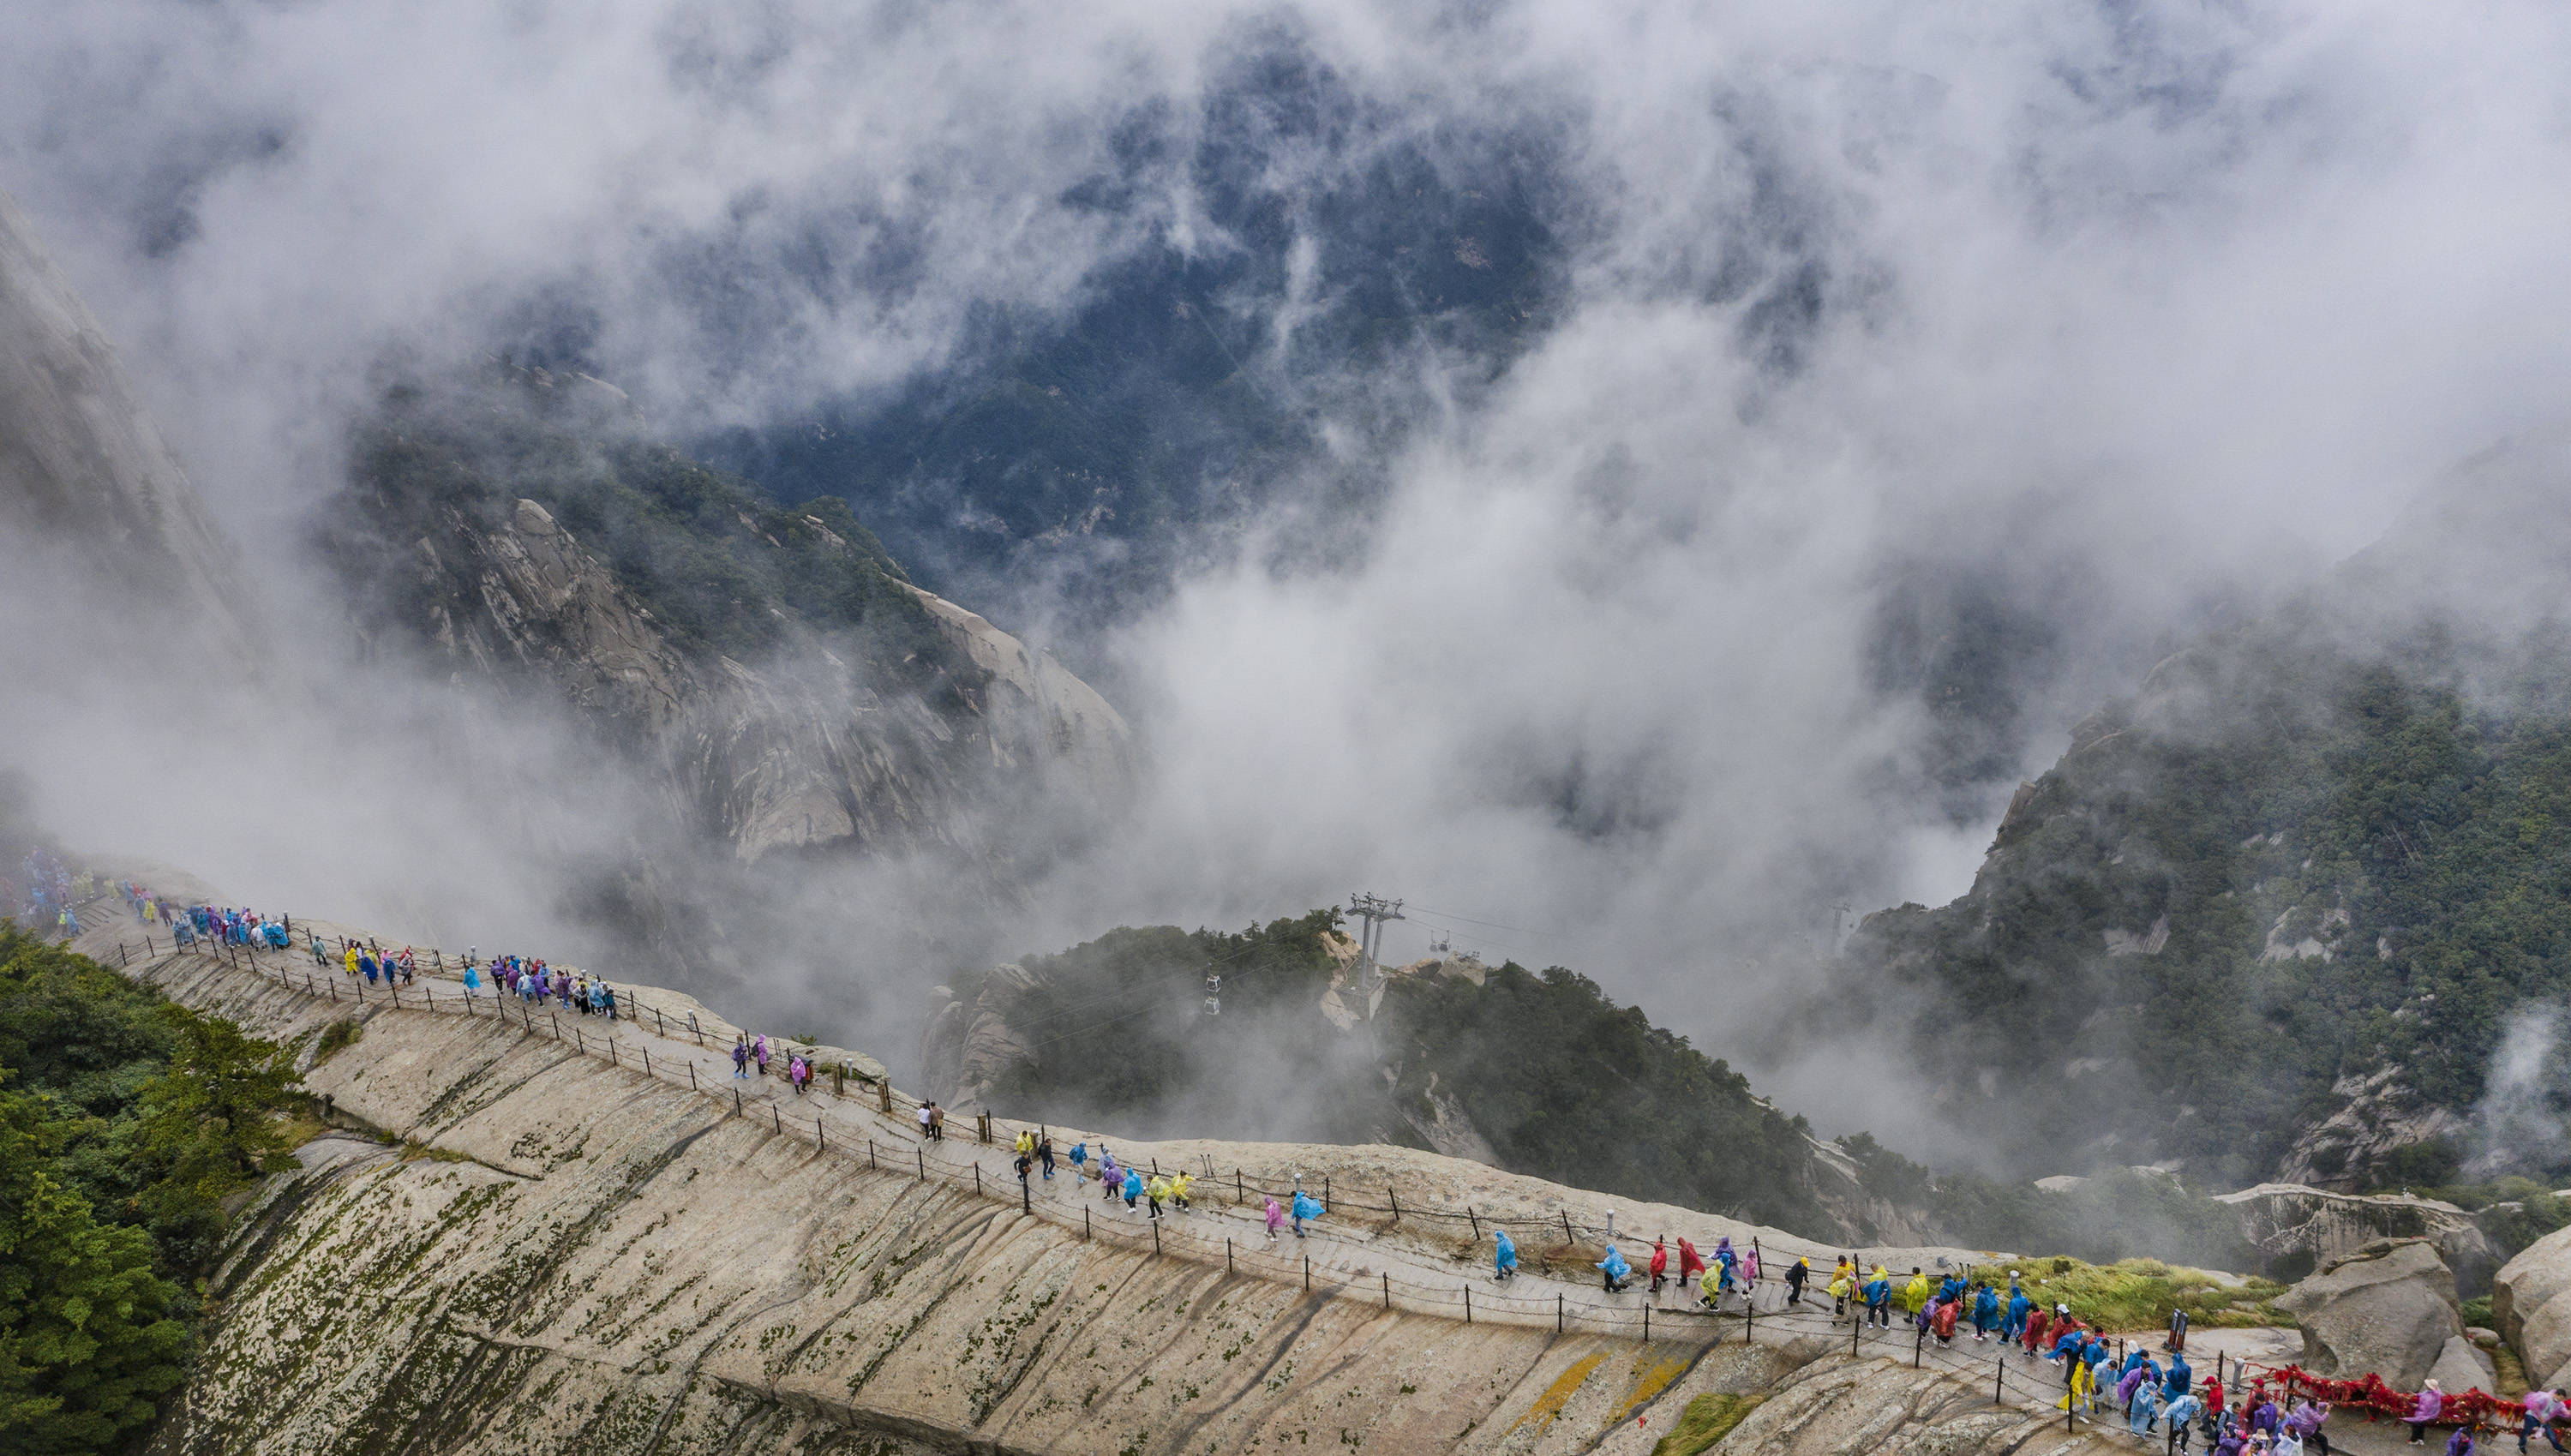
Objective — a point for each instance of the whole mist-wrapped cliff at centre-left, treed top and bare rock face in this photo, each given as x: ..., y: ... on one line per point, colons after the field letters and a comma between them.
x: 770, y: 665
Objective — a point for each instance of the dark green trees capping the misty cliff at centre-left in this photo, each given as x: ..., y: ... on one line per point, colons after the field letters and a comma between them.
x: 716, y: 562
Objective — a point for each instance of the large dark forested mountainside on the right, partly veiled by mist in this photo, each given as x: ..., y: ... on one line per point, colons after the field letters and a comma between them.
x: 2361, y: 863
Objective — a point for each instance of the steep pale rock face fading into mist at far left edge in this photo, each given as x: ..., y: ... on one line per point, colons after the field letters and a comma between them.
x: 86, y: 477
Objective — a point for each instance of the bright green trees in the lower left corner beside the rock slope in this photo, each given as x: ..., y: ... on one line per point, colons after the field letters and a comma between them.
x: 125, y: 1125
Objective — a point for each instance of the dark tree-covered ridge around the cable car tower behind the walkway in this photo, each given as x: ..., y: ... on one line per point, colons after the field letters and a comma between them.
x: 1557, y: 1079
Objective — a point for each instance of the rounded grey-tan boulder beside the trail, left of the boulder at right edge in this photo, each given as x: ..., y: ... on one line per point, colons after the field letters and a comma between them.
x: 2387, y: 1308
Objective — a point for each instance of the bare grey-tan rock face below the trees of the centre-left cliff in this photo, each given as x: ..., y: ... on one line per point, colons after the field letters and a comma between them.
x: 811, y: 750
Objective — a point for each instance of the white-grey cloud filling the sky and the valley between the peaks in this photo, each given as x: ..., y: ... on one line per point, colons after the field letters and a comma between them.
x: 2130, y: 313
